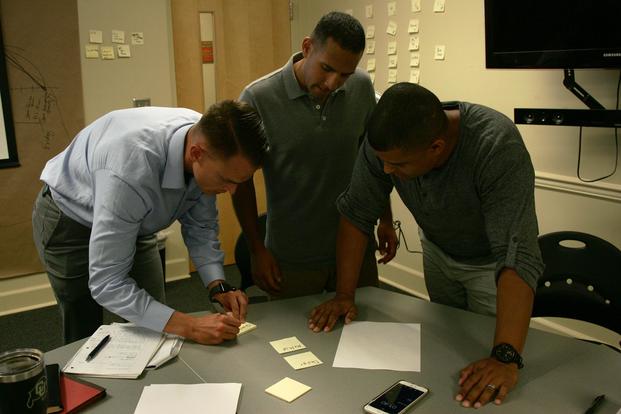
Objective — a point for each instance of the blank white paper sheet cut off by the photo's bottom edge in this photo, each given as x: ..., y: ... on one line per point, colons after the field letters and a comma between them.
x: 189, y: 399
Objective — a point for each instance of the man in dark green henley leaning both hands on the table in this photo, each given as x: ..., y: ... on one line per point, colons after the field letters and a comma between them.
x: 465, y: 175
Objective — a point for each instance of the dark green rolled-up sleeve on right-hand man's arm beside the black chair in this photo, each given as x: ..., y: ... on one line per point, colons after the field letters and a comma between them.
x: 506, y: 189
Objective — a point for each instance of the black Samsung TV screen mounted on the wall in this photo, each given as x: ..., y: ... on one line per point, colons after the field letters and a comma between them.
x: 564, y: 34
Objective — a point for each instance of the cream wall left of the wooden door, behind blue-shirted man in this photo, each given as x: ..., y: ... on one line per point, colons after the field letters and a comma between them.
x: 109, y: 85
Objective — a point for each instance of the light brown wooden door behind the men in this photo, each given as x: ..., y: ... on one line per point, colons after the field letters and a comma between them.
x: 252, y: 38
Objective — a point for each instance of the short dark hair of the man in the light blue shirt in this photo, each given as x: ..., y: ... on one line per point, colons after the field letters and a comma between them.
x: 234, y: 127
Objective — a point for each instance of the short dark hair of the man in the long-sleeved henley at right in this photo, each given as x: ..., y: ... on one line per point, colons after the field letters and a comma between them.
x: 406, y: 117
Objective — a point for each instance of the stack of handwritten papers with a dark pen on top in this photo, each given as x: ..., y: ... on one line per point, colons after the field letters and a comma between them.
x: 126, y: 355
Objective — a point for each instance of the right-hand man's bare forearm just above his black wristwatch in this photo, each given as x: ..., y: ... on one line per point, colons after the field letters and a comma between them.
x: 514, y: 305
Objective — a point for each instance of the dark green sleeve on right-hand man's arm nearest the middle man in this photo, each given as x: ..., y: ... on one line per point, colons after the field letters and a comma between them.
x: 366, y: 197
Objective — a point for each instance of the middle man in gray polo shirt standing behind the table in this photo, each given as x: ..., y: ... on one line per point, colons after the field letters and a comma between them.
x: 314, y: 110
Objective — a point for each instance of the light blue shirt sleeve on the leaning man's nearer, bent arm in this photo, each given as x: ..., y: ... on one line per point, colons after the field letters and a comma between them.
x: 118, y: 211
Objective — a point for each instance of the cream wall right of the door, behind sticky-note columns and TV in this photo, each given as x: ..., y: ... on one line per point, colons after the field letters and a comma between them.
x: 563, y: 202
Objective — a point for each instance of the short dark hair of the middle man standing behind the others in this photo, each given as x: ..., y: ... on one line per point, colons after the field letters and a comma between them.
x: 344, y: 29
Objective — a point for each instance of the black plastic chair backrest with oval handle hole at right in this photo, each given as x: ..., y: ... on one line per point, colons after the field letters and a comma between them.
x: 582, y: 279
